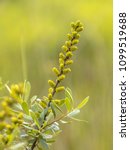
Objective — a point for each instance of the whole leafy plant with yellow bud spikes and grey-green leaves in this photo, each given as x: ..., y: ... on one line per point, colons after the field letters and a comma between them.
x: 33, y: 123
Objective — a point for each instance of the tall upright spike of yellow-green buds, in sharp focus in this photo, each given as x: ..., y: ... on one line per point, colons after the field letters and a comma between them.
x: 65, y: 59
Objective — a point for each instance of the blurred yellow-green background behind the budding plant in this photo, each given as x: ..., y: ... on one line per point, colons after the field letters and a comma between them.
x: 39, y: 28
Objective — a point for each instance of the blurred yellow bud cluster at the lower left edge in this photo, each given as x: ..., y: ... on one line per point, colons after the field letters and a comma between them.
x: 9, y: 120
